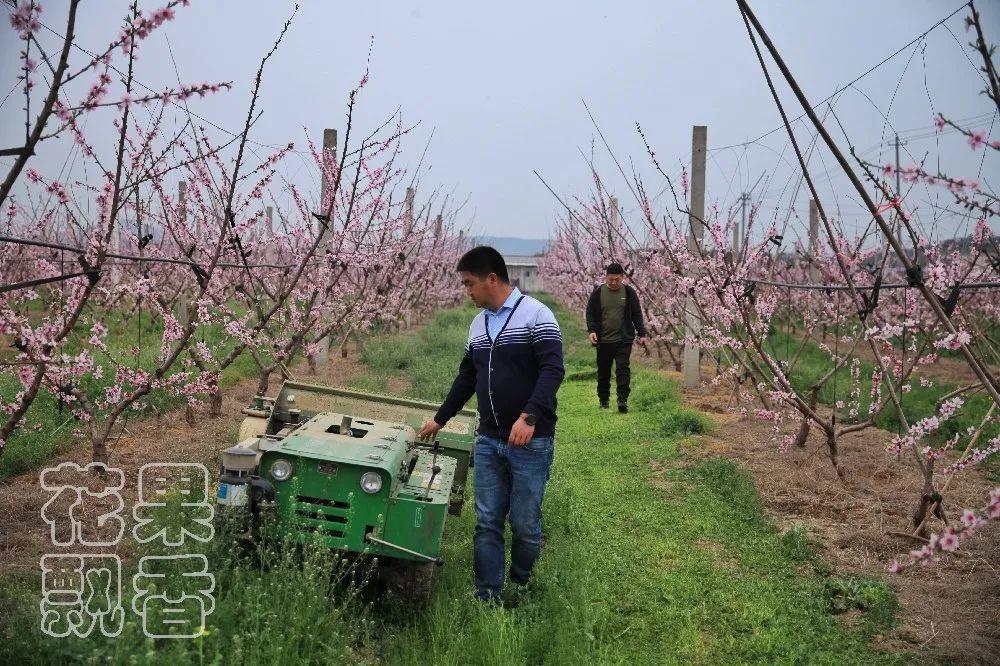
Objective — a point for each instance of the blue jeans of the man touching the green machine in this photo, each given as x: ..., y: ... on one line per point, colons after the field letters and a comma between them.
x: 508, y: 480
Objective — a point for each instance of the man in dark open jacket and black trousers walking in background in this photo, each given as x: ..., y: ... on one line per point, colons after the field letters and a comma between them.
x: 614, y: 321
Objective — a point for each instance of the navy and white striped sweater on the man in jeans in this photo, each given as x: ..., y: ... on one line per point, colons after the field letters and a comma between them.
x: 518, y: 371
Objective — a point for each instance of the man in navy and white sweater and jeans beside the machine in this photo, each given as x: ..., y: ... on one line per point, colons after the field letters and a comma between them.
x: 513, y: 363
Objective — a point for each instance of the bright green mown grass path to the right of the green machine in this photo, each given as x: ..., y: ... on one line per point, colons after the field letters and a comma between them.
x: 644, y: 566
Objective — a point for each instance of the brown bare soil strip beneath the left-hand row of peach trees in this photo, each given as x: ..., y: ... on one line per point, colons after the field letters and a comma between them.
x: 25, y: 537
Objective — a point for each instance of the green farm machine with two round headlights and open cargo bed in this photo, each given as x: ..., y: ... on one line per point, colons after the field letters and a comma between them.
x: 344, y: 469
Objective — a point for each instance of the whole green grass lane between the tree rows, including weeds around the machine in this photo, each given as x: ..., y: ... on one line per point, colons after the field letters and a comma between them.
x: 650, y: 557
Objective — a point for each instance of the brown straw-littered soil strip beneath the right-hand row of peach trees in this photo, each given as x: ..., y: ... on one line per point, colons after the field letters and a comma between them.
x: 949, y: 611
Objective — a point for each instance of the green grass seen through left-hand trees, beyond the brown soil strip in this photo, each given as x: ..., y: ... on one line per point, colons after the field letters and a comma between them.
x: 29, y: 449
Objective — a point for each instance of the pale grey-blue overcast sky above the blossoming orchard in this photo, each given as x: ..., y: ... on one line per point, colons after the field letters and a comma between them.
x: 501, y: 85
